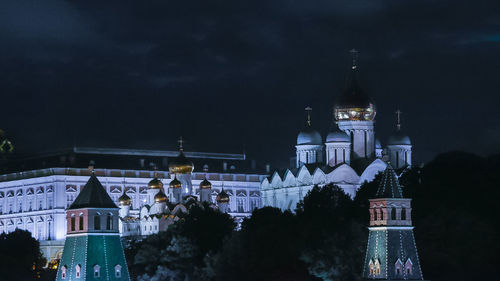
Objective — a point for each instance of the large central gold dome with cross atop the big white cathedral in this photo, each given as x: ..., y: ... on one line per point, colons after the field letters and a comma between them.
x: 354, y: 104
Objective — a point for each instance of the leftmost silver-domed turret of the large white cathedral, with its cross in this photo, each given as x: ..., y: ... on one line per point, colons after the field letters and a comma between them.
x: 309, y: 144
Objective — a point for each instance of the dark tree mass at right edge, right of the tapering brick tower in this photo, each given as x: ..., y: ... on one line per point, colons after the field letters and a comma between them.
x: 455, y: 213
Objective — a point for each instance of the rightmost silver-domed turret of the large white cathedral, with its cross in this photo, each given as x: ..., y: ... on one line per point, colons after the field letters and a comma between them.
x: 399, y: 146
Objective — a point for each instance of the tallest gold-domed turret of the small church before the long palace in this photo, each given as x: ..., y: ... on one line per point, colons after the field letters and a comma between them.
x: 181, y: 168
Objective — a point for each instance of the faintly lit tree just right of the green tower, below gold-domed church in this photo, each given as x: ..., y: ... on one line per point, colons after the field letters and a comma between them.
x: 184, y: 249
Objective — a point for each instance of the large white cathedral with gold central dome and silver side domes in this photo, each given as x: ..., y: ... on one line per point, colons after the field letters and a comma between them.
x: 348, y: 156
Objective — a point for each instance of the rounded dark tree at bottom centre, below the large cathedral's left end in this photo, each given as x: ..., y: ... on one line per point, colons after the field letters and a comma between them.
x: 266, y: 248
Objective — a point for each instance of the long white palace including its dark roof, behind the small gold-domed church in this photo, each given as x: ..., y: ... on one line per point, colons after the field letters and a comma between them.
x: 35, y: 190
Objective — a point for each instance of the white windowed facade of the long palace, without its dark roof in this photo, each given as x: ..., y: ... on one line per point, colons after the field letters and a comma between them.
x: 36, y: 200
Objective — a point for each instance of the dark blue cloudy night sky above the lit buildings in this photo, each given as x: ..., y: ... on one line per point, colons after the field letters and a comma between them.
x: 234, y: 76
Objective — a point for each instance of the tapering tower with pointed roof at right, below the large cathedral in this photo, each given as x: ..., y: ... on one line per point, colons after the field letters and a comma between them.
x: 391, y: 253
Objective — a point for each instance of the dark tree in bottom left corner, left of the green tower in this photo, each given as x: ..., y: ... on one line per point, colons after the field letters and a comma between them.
x: 20, y: 257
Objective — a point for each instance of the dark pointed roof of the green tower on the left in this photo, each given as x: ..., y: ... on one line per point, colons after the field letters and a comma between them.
x: 93, y: 195
